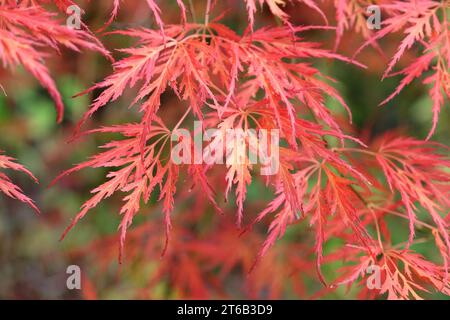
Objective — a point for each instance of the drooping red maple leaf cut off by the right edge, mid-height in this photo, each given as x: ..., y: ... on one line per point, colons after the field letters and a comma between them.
x: 417, y: 172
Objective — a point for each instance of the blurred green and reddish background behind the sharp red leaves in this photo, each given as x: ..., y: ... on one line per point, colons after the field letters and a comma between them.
x: 33, y: 261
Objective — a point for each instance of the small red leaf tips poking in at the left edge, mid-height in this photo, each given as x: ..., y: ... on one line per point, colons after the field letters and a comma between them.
x: 8, y: 187
